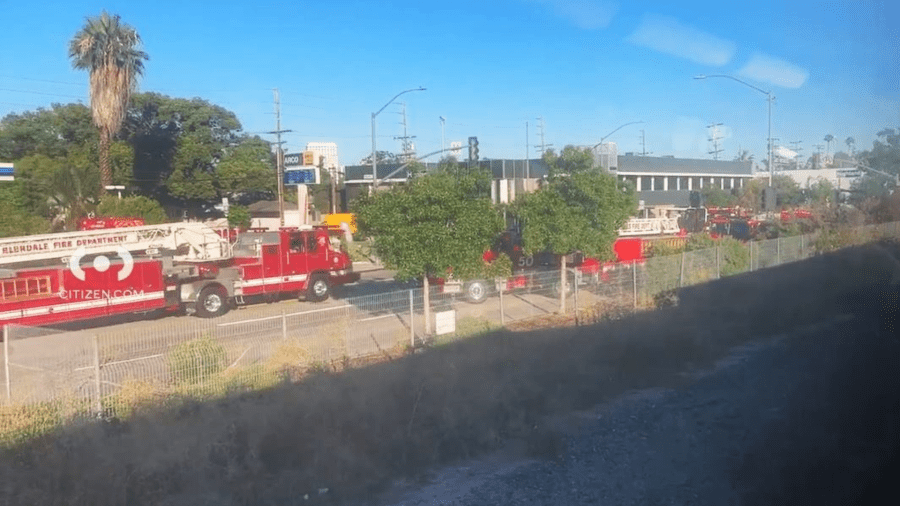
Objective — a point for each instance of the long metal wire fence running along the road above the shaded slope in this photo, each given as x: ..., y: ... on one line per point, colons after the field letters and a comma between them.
x: 111, y: 370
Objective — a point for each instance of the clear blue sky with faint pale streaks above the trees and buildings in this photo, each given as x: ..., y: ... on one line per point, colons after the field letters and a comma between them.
x: 584, y: 67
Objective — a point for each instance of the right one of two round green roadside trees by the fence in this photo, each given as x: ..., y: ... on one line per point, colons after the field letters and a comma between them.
x: 580, y: 211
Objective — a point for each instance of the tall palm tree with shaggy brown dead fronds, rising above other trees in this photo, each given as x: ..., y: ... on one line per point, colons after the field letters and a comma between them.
x: 107, y: 49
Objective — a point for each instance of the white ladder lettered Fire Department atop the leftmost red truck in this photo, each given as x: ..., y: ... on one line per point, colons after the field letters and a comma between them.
x: 184, y: 241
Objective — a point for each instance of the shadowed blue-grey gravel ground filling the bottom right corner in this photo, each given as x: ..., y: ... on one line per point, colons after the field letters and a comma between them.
x: 808, y: 417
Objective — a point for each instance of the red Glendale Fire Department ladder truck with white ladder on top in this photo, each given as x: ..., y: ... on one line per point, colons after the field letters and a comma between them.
x: 182, y: 266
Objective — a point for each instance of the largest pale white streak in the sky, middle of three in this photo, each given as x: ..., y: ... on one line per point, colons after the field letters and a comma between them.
x: 668, y: 35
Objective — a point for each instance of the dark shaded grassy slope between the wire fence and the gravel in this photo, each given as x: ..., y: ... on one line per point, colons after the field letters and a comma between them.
x: 351, y: 430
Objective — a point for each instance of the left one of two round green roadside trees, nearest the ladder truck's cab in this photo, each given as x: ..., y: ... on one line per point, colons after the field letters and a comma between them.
x: 433, y: 224
